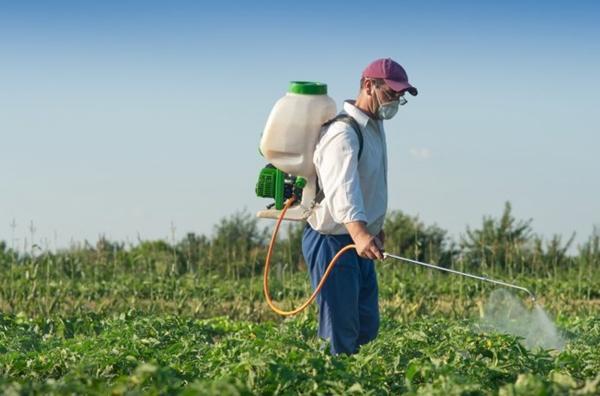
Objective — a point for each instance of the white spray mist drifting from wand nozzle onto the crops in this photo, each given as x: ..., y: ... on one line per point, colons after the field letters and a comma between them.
x: 507, y: 314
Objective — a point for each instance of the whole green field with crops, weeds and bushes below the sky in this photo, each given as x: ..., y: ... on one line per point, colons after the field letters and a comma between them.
x: 188, y: 317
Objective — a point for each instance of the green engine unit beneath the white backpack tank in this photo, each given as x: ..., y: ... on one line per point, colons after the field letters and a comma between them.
x: 276, y: 184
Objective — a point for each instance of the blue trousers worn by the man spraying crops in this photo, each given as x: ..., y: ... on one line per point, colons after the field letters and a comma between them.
x: 348, y: 302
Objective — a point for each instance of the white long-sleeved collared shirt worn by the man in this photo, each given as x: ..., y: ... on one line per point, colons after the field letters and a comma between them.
x: 354, y: 190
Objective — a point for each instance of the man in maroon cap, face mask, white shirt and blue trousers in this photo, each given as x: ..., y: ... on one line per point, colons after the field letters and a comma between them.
x: 353, y: 208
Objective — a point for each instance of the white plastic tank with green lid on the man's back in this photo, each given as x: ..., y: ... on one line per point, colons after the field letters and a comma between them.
x: 290, y: 136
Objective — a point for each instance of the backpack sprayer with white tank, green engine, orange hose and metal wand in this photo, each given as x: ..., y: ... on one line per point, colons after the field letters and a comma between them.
x: 288, y: 143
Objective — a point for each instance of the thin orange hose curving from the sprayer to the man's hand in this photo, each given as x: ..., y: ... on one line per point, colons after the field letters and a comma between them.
x: 268, y: 265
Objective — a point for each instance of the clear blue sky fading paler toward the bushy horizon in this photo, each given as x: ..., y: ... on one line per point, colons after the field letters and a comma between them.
x: 123, y: 117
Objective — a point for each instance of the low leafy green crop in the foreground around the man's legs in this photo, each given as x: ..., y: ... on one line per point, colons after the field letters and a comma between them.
x: 133, y: 353
